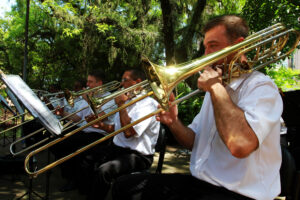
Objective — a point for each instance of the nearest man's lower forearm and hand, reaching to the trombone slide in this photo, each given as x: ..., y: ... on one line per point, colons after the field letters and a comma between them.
x: 184, y: 135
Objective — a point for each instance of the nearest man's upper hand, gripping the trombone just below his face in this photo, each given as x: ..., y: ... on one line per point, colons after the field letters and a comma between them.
x: 208, y: 78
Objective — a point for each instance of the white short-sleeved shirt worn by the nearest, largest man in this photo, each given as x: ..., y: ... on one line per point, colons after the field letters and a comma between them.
x: 256, y: 176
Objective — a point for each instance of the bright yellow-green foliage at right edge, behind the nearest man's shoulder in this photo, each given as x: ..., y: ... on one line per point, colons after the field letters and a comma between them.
x: 285, y: 78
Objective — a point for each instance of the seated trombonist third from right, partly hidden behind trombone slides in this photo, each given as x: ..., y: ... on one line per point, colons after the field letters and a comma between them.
x: 81, y: 138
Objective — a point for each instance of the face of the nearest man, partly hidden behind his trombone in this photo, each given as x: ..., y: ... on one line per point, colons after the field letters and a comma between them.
x: 216, y: 39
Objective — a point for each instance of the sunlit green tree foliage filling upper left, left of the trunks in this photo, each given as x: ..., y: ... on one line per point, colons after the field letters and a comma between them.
x: 69, y: 38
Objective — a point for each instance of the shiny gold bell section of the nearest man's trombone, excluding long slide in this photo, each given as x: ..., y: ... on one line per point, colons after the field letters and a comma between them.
x: 164, y: 79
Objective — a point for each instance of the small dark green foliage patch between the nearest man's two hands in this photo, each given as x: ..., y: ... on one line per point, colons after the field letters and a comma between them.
x: 189, y: 108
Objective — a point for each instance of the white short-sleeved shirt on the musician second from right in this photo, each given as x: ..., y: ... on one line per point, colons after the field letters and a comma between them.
x: 147, y: 131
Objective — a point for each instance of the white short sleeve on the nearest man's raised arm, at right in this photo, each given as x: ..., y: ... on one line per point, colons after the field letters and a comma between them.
x: 262, y: 107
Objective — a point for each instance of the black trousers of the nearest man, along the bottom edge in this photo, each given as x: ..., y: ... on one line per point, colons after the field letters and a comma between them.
x: 168, y: 187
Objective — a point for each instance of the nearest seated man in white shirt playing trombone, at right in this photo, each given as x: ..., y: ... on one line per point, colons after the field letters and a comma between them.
x: 234, y: 139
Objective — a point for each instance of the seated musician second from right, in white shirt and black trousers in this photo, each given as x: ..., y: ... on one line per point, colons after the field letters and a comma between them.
x: 131, y: 150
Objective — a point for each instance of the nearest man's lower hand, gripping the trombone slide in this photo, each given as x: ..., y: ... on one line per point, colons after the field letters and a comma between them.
x: 168, y: 117
